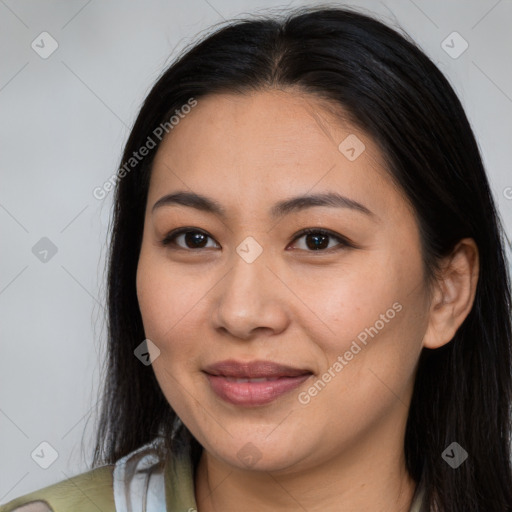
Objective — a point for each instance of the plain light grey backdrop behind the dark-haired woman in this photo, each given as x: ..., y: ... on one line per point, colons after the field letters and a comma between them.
x: 63, y: 122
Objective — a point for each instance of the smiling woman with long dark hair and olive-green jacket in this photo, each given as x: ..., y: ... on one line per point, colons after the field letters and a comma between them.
x: 309, y: 304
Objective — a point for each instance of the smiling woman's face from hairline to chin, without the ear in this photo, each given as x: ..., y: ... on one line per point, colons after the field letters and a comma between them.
x: 246, y: 286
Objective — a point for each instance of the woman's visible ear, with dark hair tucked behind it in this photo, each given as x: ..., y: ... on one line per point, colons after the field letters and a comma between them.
x: 454, y: 293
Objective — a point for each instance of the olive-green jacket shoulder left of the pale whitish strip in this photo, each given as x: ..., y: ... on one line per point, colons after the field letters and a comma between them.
x: 89, y: 491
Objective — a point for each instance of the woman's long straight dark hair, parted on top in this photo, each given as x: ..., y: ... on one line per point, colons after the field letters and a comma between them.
x: 393, y: 92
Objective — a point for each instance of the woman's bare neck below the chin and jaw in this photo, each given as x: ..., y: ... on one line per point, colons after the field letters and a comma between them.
x: 370, y: 476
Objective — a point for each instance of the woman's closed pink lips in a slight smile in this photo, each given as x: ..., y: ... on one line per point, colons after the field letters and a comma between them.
x: 263, y: 381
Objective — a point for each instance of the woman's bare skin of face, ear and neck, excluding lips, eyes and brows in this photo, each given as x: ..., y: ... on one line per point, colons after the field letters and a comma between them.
x: 293, y: 305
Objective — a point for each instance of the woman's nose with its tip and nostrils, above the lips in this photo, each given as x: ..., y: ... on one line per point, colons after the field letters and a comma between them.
x: 251, y: 299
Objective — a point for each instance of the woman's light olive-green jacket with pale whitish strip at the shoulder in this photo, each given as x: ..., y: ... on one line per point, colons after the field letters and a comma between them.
x: 137, y: 482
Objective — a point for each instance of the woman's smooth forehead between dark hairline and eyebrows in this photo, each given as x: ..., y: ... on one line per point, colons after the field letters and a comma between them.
x: 268, y: 144
